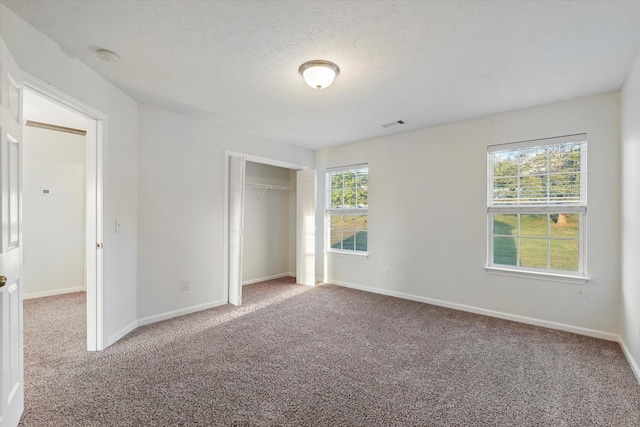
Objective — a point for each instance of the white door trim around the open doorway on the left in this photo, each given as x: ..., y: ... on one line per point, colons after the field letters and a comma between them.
x: 94, y: 210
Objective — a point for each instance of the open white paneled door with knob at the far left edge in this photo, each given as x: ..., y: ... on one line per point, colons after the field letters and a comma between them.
x: 11, y: 362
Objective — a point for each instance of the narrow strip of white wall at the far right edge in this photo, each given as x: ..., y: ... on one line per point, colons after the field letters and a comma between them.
x: 630, y: 290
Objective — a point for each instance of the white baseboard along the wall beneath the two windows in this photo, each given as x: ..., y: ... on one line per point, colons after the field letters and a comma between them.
x: 491, y: 313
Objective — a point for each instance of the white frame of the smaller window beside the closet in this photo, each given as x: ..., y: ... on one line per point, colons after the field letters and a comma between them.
x: 355, y: 211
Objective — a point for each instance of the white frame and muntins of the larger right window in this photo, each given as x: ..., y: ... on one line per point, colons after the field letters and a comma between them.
x: 548, y: 208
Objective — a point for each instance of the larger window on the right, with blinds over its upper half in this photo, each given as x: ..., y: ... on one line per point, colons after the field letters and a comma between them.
x: 537, y: 204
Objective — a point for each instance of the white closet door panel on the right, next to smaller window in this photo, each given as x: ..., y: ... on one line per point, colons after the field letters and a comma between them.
x: 306, y: 227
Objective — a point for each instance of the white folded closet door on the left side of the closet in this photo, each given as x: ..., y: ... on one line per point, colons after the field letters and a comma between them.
x: 236, y: 210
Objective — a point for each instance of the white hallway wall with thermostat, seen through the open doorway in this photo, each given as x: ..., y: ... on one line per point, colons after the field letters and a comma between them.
x: 53, y: 225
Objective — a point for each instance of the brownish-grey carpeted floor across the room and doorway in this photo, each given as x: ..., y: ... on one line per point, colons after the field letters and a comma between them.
x: 323, y: 356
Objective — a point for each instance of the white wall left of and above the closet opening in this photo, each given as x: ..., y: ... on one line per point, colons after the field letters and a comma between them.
x: 180, y: 207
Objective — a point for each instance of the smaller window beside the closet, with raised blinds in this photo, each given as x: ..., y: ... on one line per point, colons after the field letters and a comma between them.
x: 347, y: 206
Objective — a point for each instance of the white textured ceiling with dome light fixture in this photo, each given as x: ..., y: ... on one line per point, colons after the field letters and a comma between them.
x: 423, y: 62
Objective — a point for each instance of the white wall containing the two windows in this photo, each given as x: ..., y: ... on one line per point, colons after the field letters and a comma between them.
x: 427, y: 217
